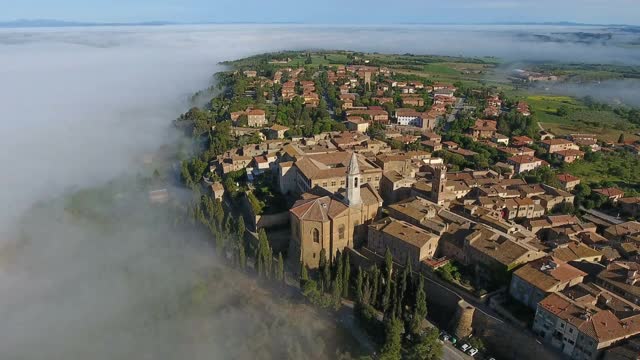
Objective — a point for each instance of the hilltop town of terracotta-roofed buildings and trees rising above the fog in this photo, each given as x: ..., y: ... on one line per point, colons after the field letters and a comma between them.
x: 368, y: 182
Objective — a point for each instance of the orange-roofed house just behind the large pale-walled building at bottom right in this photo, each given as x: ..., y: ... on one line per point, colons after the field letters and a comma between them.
x: 536, y: 280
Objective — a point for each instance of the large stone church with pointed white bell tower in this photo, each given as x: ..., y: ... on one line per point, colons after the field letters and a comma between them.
x: 332, y: 221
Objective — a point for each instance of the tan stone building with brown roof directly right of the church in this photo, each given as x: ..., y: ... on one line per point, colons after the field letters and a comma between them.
x: 406, y: 242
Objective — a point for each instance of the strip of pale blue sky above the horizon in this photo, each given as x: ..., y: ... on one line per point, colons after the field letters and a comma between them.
x: 329, y: 11
